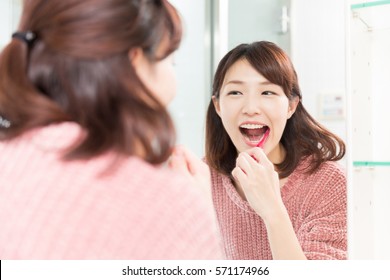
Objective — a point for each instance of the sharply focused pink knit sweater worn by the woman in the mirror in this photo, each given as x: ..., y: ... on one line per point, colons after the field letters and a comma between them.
x: 317, y: 206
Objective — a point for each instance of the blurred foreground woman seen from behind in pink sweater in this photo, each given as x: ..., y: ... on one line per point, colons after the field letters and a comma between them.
x: 84, y: 132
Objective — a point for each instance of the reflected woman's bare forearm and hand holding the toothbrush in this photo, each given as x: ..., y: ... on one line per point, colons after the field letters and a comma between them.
x: 260, y: 183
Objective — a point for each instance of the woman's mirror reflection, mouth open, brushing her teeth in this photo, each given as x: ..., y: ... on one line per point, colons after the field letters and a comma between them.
x: 277, y: 190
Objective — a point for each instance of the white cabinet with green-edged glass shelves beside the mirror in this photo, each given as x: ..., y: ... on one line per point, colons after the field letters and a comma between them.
x: 369, y: 102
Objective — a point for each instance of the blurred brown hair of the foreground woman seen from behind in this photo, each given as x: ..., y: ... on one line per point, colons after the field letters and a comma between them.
x: 78, y: 70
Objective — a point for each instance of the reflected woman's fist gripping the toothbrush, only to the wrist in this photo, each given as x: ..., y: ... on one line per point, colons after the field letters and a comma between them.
x: 259, y: 181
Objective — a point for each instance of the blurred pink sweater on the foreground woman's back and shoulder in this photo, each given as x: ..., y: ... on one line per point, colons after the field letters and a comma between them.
x: 51, y: 209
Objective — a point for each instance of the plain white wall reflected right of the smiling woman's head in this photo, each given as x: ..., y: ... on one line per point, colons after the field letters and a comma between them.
x: 318, y: 54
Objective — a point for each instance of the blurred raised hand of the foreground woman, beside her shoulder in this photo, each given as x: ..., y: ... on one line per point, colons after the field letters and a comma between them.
x: 187, y: 163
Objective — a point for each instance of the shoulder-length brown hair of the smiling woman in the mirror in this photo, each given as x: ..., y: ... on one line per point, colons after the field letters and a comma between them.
x: 302, y: 137
